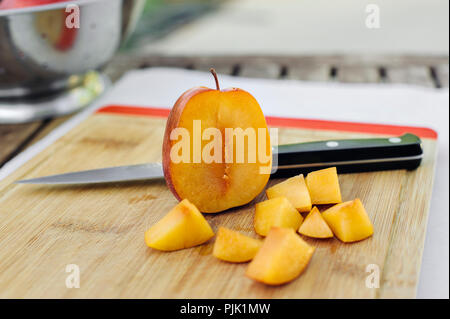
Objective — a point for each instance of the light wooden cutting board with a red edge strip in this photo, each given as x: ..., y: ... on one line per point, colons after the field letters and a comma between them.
x: 101, y: 228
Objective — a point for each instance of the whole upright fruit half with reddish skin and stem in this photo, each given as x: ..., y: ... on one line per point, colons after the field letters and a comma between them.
x: 217, y: 174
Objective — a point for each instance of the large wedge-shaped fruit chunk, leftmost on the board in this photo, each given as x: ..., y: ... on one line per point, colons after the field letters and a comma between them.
x: 183, y: 227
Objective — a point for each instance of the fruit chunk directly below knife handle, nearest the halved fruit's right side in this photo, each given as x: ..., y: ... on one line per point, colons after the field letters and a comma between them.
x: 295, y: 190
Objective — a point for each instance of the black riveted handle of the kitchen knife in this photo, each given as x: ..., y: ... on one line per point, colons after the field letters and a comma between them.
x: 349, y: 156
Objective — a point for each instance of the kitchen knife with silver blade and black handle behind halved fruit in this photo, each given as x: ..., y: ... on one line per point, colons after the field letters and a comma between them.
x: 349, y: 156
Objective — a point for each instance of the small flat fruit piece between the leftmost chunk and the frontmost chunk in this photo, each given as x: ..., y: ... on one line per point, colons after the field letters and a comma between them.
x: 235, y: 247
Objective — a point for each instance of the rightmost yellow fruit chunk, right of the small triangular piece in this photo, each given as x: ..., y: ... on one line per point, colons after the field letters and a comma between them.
x: 349, y: 221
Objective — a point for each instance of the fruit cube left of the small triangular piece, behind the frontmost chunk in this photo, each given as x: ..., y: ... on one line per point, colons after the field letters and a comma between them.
x: 277, y: 212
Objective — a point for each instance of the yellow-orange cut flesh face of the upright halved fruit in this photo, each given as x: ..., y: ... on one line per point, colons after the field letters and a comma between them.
x: 214, y: 187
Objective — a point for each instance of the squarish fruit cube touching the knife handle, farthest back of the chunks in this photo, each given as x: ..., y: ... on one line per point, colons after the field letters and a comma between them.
x: 323, y: 186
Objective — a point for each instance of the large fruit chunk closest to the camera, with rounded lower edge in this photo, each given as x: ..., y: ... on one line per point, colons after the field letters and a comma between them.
x: 282, y: 257
